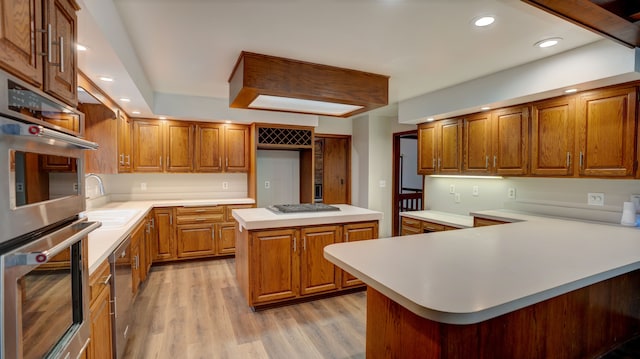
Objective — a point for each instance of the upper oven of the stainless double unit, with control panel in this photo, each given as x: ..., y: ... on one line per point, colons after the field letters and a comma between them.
x: 42, y: 166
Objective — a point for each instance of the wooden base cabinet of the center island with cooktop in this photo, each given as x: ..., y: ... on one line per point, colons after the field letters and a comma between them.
x: 285, y: 264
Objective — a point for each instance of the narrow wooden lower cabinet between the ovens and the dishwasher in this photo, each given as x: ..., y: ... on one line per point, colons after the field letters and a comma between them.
x: 100, y: 309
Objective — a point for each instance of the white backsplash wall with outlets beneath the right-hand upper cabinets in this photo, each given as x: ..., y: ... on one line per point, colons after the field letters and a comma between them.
x: 565, y: 197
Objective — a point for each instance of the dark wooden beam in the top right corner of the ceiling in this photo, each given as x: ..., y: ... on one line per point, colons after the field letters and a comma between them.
x: 615, y: 19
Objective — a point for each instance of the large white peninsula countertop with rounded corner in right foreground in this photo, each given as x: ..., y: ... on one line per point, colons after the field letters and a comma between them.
x: 471, y: 275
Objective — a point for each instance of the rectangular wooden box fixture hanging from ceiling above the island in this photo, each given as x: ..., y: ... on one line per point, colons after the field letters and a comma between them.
x: 257, y: 74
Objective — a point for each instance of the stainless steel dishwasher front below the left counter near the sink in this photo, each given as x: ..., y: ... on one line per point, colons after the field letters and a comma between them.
x: 121, y: 295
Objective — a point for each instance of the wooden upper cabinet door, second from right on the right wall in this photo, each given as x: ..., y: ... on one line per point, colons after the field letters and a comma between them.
x: 553, y: 137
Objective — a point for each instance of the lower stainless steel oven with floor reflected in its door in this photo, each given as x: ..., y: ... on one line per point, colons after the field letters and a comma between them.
x: 44, y: 284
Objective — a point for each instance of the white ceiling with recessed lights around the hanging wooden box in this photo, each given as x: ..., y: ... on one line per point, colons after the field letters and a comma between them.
x: 187, y: 48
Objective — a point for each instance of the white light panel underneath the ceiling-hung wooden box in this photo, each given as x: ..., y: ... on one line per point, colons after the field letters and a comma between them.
x: 277, y: 103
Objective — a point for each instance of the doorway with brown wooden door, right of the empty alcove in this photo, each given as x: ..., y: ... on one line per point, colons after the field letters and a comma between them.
x: 332, y: 171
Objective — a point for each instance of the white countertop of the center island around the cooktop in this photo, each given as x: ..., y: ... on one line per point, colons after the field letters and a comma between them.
x: 262, y: 218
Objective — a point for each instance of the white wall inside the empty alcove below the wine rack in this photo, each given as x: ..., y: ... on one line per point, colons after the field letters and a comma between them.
x: 282, y: 170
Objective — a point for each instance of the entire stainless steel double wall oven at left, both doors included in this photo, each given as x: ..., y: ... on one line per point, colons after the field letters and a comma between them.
x: 44, y: 309
